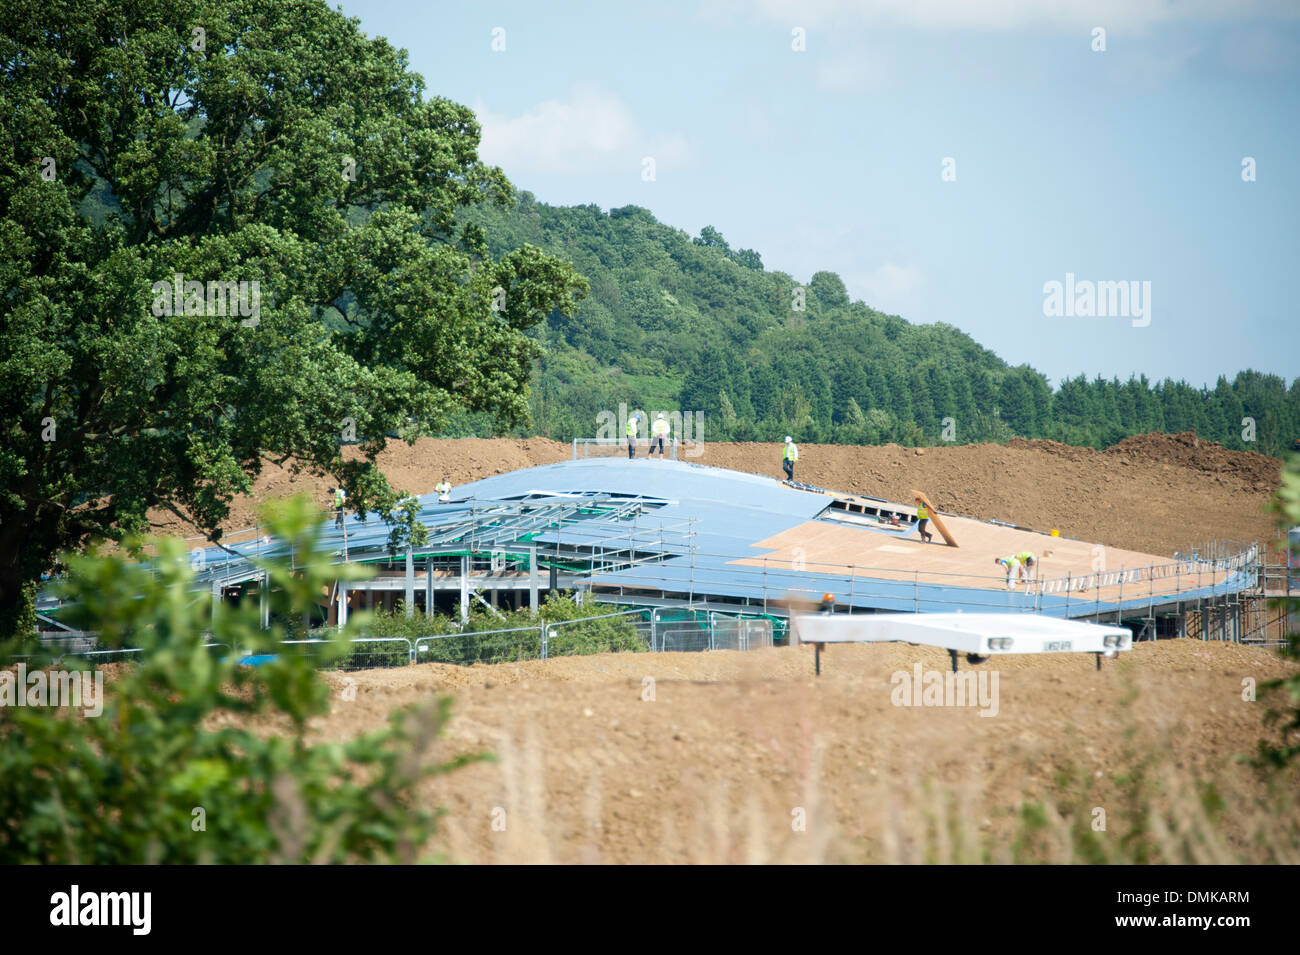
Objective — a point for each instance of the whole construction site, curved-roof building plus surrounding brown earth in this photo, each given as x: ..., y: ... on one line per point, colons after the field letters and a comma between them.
x: 681, y: 756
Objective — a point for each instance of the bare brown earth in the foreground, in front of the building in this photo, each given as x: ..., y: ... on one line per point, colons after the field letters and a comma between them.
x: 721, y: 758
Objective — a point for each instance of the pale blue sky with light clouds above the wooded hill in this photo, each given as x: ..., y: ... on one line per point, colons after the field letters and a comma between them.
x: 1124, y: 164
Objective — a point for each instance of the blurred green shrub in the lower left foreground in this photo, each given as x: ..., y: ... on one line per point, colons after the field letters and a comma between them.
x: 166, y: 776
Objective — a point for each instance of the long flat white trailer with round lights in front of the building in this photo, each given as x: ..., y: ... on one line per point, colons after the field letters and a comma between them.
x: 980, y: 636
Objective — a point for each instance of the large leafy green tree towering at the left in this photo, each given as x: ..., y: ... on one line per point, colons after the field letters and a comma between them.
x: 278, y: 146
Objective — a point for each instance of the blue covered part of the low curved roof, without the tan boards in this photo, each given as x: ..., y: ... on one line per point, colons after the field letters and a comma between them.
x: 682, y: 528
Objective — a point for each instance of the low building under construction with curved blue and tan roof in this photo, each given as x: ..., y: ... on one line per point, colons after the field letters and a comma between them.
x: 674, y: 535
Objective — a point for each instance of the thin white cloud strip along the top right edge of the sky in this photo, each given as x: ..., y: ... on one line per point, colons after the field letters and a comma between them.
x: 998, y: 15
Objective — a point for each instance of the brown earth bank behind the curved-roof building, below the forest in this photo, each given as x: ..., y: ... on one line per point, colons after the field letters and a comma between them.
x: 1152, y: 493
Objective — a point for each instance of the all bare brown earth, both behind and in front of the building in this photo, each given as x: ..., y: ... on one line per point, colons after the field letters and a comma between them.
x: 731, y: 757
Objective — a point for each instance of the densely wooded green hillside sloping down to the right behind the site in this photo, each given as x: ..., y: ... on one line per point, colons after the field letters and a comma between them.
x: 679, y: 323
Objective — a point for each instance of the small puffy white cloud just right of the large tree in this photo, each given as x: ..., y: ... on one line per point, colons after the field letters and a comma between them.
x: 591, y: 132
